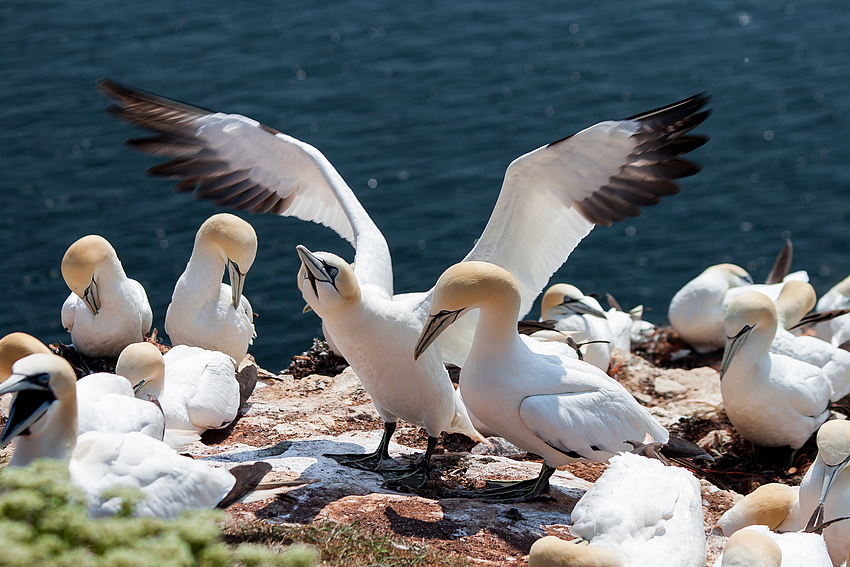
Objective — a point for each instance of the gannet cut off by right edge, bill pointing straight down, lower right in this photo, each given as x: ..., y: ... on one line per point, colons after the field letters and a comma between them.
x: 825, y: 489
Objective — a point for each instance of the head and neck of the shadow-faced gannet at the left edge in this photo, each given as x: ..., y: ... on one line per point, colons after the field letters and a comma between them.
x: 46, y: 399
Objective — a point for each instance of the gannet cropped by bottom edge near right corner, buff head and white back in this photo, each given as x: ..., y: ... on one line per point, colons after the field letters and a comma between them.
x: 749, y: 547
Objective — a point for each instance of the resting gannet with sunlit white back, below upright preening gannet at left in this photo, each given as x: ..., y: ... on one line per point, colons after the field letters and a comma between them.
x: 196, y: 388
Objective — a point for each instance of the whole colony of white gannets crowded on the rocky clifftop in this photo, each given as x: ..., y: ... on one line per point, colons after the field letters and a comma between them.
x: 543, y: 385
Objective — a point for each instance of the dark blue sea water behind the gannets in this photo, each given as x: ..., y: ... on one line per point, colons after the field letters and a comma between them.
x: 421, y: 106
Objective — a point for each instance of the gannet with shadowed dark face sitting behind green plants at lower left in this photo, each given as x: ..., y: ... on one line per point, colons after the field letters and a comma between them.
x: 43, y: 424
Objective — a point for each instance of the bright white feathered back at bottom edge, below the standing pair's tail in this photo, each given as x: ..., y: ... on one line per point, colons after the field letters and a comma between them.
x: 649, y: 513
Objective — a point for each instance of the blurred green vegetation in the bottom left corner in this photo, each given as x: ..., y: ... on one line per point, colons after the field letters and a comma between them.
x: 43, y: 521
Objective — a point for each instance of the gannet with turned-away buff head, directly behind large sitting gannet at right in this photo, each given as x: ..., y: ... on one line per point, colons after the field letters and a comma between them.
x: 794, y: 301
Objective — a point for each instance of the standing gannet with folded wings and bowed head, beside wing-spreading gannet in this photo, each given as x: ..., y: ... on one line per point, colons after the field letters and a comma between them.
x: 556, y: 407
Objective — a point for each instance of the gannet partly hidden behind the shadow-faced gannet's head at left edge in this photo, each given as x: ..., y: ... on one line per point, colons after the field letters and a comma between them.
x: 105, y: 402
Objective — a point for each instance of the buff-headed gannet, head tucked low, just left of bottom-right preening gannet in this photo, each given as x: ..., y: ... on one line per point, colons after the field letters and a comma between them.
x: 774, y: 505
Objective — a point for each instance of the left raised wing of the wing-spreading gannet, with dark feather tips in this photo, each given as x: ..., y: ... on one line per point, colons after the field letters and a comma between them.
x: 239, y: 163
